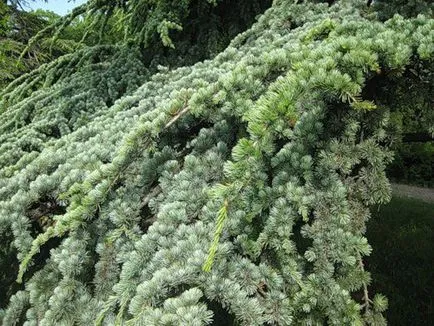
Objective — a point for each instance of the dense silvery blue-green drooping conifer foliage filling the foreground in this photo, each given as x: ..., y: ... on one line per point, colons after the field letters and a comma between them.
x: 234, y: 189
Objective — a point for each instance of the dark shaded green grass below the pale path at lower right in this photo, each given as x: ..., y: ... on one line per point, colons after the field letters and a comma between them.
x: 402, y: 263
